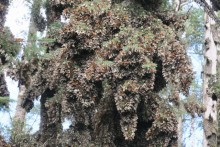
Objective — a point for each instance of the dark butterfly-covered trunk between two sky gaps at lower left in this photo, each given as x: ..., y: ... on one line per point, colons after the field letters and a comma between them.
x: 50, y: 125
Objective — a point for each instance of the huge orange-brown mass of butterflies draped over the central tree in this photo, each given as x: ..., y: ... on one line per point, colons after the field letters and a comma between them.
x: 112, y: 60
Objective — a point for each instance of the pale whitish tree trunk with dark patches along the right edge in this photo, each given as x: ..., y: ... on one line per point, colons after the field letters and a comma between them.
x: 210, y: 57
